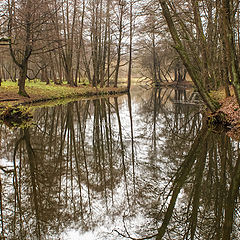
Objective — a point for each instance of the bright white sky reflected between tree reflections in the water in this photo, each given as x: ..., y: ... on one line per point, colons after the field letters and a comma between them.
x: 112, y: 217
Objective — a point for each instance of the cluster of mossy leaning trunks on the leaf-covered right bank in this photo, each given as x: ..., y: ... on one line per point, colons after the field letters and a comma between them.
x: 206, y: 37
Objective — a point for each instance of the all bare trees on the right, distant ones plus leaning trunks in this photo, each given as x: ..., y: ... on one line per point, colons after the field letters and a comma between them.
x: 205, y: 40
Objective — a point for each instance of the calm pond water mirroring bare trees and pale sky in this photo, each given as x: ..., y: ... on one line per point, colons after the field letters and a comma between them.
x: 132, y: 166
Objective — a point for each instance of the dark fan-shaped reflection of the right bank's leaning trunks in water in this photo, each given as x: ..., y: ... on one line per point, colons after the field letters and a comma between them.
x: 201, y: 191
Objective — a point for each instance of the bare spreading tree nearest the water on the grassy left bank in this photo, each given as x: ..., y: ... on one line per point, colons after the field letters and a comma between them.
x: 27, y: 21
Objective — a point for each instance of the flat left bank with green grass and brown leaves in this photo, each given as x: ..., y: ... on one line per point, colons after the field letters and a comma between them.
x: 40, y: 92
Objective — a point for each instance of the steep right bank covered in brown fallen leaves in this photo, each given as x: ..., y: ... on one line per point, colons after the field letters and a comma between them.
x: 231, y: 112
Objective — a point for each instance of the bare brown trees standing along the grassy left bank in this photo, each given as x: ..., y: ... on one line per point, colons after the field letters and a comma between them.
x: 66, y: 40
